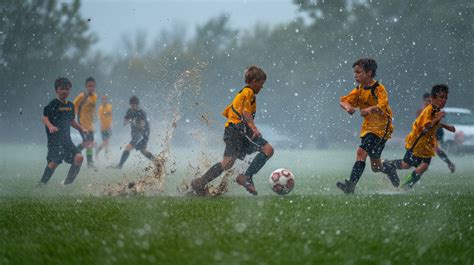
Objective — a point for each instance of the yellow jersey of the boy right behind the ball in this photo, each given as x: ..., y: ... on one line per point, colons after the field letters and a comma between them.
x: 245, y: 100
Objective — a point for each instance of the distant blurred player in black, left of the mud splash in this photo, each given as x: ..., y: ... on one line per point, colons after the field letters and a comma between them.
x: 136, y: 117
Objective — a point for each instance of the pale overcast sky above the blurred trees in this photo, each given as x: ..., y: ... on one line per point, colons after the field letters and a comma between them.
x: 111, y: 19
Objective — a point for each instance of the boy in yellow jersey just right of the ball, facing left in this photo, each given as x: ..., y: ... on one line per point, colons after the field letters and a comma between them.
x: 371, y: 98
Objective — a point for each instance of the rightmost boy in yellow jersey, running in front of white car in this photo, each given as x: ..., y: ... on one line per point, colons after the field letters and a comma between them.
x: 421, y: 143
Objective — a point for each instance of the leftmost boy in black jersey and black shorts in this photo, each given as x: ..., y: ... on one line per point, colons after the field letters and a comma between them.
x: 58, y: 117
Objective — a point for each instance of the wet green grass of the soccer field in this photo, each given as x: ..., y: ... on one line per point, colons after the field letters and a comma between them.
x: 315, y: 224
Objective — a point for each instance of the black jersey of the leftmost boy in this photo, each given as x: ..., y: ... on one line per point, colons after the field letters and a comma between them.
x: 60, y: 114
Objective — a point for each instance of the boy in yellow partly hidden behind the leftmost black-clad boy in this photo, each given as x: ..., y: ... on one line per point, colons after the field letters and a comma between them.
x: 84, y: 105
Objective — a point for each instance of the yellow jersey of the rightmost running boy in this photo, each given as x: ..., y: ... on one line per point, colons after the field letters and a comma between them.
x: 425, y: 147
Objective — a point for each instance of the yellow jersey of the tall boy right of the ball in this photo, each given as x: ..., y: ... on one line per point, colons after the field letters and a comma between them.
x: 377, y: 123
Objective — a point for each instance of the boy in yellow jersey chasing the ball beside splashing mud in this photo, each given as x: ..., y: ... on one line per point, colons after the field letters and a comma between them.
x: 241, y: 136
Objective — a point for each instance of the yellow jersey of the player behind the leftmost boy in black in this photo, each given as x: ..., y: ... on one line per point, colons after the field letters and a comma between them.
x: 85, y: 110
